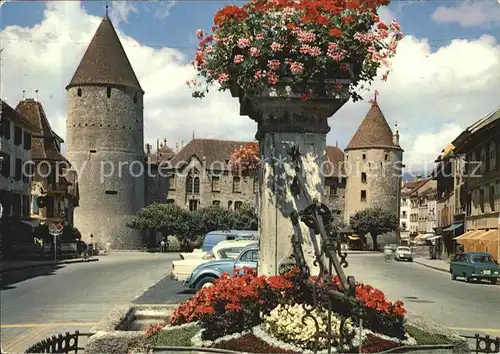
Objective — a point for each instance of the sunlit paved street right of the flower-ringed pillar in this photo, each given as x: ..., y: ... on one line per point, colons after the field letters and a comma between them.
x: 468, y: 308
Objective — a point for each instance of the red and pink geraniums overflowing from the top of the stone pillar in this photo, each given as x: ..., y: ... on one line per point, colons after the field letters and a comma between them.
x: 265, y: 42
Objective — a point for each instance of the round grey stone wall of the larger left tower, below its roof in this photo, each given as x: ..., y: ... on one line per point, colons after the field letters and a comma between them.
x: 105, y: 147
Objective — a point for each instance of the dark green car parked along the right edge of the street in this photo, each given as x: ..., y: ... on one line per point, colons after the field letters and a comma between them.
x: 475, y: 265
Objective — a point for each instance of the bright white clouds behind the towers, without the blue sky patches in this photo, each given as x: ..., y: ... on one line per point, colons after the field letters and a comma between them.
x: 431, y: 93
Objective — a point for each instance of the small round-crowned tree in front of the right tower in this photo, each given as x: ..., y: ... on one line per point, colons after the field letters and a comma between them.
x: 375, y: 221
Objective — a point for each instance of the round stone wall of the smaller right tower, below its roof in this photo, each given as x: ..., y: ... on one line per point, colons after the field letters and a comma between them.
x: 382, y: 185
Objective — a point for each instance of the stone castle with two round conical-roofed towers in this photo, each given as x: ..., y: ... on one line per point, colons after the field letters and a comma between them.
x: 105, y: 129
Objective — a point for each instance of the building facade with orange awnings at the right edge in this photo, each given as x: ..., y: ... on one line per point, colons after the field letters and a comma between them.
x: 480, y: 144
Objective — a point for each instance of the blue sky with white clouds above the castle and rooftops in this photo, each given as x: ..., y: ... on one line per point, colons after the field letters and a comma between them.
x: 446, y: 73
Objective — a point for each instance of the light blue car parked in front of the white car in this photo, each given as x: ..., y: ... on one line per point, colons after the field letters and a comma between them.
x: 209, y: 272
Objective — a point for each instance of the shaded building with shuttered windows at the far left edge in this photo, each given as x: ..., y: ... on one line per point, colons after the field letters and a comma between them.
x: 15, y: 181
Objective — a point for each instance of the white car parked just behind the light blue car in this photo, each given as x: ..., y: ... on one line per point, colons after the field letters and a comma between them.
x: 181, y: 269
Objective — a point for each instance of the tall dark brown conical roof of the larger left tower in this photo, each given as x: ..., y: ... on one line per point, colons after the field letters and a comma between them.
x: 105, y: 61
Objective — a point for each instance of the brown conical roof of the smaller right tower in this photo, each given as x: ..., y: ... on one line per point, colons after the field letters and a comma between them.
x: 374, y: 131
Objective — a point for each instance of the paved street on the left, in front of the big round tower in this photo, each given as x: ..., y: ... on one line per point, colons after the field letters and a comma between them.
x: 40, y: 302
